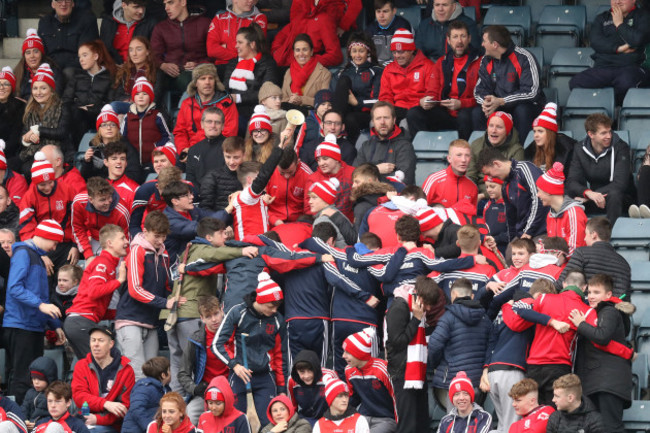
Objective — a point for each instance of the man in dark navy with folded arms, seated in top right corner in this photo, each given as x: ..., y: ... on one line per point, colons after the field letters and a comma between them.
x: 618, y: 36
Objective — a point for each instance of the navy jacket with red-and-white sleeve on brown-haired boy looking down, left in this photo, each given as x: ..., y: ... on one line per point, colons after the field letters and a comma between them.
x: 148, y: 280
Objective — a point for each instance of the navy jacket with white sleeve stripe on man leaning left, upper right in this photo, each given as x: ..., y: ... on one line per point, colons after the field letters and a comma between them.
x: 513, y: 77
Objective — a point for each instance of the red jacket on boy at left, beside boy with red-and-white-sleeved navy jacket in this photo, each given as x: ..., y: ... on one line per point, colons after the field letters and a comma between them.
x: 96, y: 289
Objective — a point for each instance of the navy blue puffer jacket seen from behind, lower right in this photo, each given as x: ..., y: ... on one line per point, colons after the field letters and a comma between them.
x: 459, y: 343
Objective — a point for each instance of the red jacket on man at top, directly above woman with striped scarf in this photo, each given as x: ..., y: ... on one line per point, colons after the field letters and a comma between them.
x: 223, y: 30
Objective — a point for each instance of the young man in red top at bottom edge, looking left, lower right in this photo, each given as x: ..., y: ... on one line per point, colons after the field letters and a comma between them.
x: 534, y: 416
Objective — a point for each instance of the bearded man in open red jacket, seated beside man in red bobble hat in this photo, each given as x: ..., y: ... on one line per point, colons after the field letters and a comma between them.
x: 451, y: 102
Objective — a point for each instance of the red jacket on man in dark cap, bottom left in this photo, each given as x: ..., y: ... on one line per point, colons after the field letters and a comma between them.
x: 85, y: 388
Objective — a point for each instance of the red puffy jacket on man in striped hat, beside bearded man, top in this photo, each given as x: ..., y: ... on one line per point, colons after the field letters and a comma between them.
x: 404, y: 87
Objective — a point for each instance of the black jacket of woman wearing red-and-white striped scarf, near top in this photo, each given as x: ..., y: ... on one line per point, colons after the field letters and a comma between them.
x: 265, y: 70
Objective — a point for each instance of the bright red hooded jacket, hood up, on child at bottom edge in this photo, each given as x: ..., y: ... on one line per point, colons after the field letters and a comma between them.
x: 231, y: 419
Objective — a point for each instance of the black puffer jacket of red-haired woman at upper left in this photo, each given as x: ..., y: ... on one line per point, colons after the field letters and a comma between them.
x: 86, y: 89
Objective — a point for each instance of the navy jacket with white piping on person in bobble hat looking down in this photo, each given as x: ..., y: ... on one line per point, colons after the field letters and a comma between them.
x: 266, y: 345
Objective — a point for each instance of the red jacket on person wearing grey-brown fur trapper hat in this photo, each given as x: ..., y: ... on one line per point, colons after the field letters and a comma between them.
x: 188, y: 131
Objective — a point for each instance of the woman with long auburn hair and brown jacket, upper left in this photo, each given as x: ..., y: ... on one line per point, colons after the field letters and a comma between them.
x: 140, y: 63
